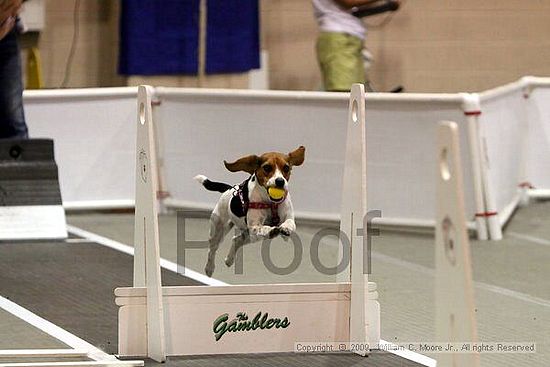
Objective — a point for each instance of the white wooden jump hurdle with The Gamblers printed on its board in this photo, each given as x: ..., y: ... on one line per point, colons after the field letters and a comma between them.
x: 156, y: 321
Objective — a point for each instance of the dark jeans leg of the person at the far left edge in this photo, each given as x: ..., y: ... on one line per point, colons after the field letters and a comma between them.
x: 12, y: 117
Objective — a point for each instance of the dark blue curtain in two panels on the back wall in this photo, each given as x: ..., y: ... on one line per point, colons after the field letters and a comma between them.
x: 161, y: 37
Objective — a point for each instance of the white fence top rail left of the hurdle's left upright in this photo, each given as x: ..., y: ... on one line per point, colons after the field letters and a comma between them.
x: 79, y: 93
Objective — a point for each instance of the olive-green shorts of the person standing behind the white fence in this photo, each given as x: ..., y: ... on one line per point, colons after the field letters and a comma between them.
x: 340, y: 60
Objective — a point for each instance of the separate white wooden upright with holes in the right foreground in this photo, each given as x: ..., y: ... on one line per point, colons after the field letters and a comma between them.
x: 455, y: 317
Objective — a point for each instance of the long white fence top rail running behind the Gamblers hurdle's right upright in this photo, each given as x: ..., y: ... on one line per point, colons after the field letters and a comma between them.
x: 175, y: 93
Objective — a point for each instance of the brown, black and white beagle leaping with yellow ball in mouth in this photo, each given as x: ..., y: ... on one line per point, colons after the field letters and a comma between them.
x: 260, y: 207
